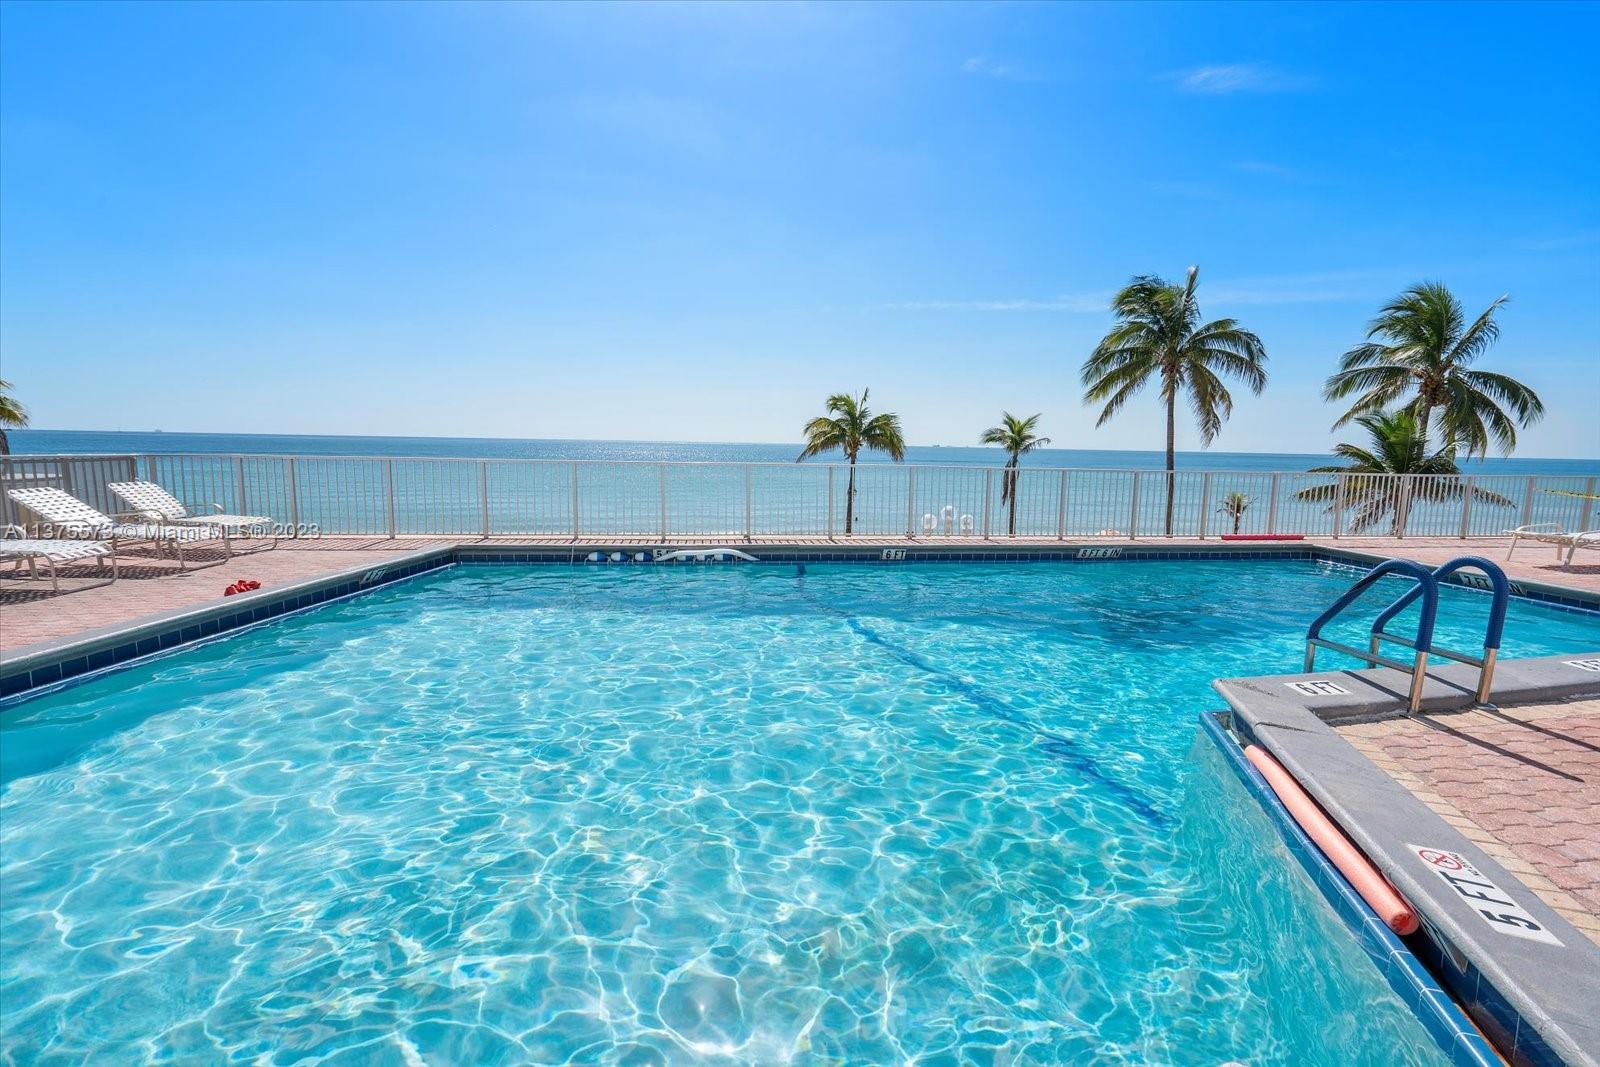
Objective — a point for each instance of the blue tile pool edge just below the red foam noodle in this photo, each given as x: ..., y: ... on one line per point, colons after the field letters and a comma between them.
x: 1446, y: 1021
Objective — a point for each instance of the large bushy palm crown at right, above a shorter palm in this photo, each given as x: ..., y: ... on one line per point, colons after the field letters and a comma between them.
x: 1422, y: 348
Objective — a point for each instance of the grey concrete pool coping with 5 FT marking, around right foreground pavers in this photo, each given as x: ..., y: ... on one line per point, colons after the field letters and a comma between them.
x: 1535, y: 999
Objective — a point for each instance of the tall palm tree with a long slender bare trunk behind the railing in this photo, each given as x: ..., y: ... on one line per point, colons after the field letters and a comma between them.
x: 1159, y: 335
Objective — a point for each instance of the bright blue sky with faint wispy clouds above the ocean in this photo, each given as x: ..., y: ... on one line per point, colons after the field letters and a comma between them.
x: 694, y: 223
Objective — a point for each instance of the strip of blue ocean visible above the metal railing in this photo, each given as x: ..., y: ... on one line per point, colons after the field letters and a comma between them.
x: 132, y: 442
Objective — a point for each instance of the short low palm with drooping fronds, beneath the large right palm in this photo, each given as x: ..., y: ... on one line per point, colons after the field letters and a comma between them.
x: 1398, y: 447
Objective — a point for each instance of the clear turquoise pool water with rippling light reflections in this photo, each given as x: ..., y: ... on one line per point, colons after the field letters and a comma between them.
x: 863, y: 815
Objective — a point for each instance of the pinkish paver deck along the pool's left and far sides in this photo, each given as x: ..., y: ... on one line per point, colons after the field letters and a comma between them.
x: 31, y: 613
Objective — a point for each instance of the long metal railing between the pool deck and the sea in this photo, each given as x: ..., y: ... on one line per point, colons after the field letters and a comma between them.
x: 393, y: 497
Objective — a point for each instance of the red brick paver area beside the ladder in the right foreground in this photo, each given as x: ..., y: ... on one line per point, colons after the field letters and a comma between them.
x: 1522, y: 783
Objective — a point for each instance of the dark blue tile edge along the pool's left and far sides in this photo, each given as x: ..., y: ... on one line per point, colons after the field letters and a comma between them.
x: 39, y: 669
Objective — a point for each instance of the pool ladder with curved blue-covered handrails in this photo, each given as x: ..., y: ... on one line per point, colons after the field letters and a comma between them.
x: 1422, y: 644
